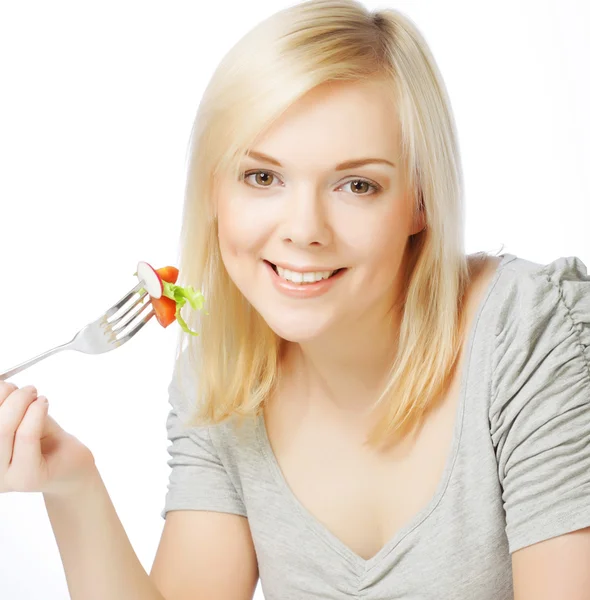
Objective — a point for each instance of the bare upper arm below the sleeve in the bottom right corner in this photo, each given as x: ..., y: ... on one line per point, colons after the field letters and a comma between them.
x: 554, y: 568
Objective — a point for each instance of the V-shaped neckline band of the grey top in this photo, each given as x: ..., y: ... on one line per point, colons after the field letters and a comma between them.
x: 361, y: 564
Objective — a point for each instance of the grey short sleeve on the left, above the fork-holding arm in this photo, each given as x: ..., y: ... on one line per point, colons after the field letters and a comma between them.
x: 198, y: 480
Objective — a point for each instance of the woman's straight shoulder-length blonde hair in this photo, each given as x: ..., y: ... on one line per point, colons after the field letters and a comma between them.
x: 236, y: 357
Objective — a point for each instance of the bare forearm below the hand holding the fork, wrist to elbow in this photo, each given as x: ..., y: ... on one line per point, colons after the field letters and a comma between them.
x: 98, y: 559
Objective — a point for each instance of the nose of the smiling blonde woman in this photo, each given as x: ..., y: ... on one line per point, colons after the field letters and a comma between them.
x: 305, y: 222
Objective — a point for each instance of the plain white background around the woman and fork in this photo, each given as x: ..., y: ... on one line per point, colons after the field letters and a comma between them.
x: 96, y: 105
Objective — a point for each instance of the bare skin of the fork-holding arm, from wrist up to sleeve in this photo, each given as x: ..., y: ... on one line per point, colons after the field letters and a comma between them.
x: 201, y: 554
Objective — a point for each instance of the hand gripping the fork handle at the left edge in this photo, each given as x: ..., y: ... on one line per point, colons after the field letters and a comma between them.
x: 36, y: 454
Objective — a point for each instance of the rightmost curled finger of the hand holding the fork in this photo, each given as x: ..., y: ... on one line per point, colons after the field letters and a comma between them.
x: 26, y: 462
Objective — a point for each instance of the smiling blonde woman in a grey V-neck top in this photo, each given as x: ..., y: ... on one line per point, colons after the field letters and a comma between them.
x: 367, y: 411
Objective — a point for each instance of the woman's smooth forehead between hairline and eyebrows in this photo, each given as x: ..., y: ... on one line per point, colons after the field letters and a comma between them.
x: 333, y: 123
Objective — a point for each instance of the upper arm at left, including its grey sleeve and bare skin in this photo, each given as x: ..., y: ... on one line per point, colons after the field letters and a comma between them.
x: 206, y: 550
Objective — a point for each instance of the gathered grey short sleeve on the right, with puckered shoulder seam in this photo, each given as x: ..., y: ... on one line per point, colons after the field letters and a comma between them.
x: 540, y: 400
